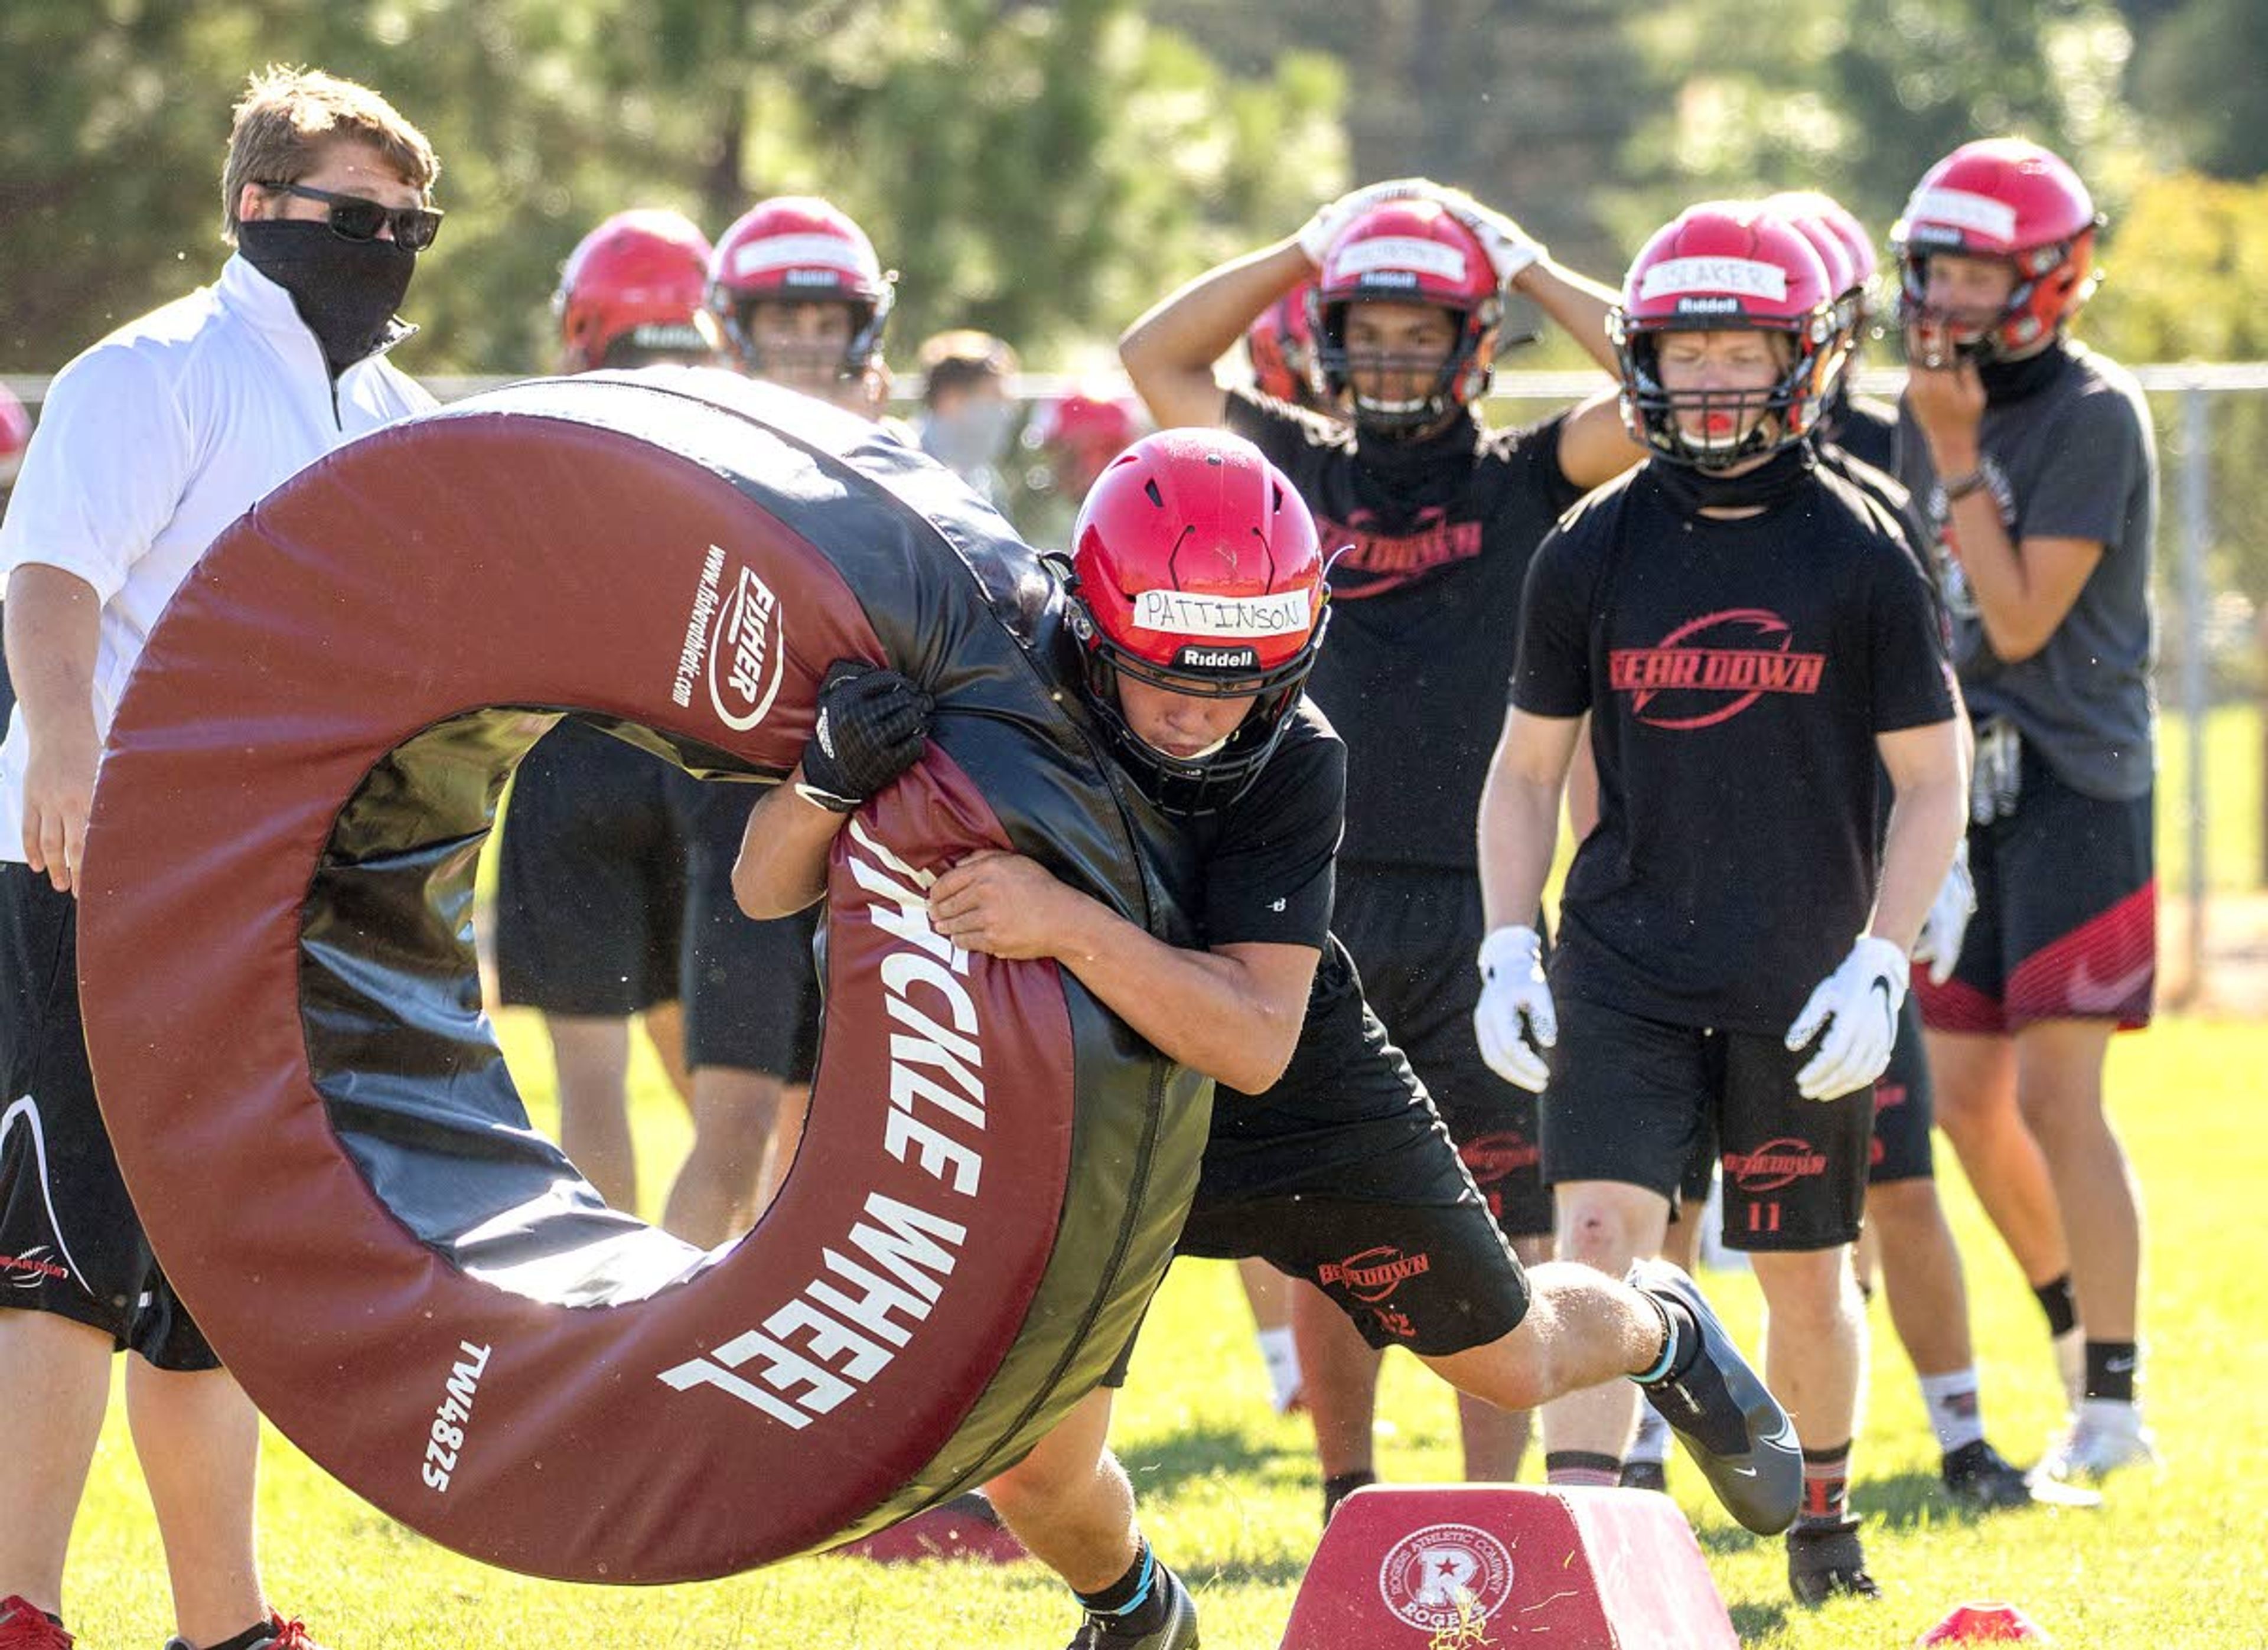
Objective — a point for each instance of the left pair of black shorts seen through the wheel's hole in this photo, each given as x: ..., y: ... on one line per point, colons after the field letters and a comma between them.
x: 591, y: 876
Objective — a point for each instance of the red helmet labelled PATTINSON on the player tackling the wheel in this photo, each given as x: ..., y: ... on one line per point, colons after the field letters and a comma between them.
x: 1196, y: 570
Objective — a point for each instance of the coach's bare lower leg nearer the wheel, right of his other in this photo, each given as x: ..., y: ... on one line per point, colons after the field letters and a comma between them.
x: 198, y: 1443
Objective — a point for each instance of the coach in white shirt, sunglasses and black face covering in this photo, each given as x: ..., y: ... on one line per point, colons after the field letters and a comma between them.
x: 151, y: 445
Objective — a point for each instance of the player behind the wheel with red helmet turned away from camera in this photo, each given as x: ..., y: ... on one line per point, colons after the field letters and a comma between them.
x: 591, y: 874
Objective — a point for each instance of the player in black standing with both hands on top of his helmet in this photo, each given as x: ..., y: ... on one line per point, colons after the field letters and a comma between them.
x: 1444, y: 518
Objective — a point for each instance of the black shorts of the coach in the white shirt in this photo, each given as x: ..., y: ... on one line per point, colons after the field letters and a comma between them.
x: 69, y: 1236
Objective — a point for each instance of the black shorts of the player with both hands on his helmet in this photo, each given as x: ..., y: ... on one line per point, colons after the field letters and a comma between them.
x: 1416, y: 935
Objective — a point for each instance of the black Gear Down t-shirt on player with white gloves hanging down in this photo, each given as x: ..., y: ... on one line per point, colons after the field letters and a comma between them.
x: 1738, y: 674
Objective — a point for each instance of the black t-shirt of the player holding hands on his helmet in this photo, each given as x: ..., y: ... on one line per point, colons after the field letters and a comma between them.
x: 1425, y: 609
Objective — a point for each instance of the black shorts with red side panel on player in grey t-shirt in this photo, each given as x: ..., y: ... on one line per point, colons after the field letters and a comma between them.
x: 2067, y: 915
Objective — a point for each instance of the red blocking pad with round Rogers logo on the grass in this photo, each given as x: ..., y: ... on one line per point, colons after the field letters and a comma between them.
x: 1471, y: 1565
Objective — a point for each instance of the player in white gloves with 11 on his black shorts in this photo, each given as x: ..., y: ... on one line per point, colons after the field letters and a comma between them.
x: 1727, y: 611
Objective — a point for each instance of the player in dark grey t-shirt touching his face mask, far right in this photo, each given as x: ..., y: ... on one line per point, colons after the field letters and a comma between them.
x: 2038, y: 473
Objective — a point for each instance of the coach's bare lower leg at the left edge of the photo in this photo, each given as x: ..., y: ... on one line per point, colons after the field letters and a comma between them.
x: 58, y: 1370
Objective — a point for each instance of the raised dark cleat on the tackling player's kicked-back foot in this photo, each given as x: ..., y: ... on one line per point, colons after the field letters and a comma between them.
x: 1723, y: 1413
